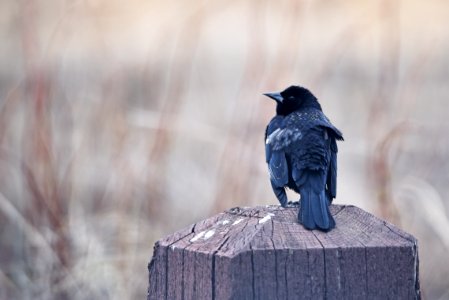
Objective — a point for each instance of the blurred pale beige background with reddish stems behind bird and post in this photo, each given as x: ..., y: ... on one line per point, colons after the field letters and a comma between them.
x: 121, y: 122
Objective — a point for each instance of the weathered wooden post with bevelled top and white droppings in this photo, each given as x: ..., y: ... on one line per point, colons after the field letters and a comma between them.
x: 263, y: 253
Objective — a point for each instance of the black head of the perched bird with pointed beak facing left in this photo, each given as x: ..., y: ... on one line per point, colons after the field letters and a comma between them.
x: 292, y: 99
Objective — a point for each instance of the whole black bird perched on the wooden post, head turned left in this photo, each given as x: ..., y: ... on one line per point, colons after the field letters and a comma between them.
x: 301, y: 153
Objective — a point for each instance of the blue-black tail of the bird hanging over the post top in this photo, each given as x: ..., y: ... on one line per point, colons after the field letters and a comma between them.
x: 314, y: 211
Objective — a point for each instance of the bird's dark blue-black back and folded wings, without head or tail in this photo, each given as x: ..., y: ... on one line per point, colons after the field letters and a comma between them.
x: 305, y: 138
